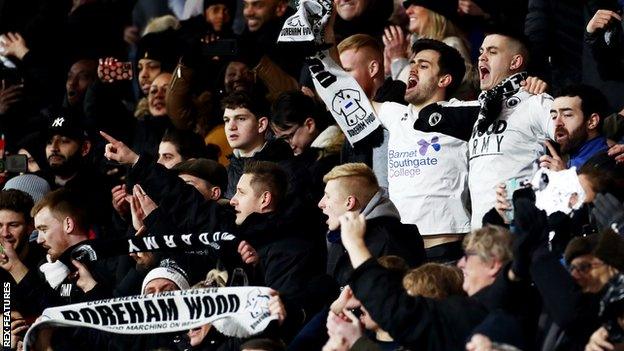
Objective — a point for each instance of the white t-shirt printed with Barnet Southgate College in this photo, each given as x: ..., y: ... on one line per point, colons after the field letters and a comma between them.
x: 427, y: 173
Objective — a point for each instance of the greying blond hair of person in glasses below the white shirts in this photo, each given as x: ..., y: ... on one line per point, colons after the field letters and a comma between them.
x: 490, y: 242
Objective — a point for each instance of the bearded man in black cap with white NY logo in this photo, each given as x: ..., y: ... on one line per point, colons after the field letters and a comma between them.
x: 67, y: 150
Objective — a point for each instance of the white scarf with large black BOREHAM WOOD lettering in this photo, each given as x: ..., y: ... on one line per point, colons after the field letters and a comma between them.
x: 245, y: 308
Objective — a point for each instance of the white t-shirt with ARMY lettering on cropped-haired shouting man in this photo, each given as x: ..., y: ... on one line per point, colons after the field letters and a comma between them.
x: 509, y: 149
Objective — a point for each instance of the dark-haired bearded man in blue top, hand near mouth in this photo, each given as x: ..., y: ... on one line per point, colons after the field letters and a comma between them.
x: 578, y: 113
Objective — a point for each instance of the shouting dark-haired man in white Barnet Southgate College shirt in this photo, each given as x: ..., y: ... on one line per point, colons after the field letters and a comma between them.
x: 427, y: 174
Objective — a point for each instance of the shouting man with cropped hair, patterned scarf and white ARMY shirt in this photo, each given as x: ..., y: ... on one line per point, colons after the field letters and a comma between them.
x: 512, y: 123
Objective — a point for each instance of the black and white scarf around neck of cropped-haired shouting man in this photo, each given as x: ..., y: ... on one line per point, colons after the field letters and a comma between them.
x: 492, y: 100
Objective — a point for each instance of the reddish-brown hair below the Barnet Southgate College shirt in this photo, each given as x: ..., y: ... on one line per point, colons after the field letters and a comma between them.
x: 434, y: 280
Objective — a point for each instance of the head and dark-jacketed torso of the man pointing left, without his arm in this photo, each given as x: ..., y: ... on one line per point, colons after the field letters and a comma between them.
x: 280, y: 229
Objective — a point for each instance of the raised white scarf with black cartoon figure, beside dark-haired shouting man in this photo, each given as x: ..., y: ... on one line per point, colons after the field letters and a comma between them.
x: 344, y: 97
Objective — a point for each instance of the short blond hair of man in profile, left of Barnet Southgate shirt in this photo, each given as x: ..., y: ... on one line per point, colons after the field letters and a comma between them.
x: 357, y: 179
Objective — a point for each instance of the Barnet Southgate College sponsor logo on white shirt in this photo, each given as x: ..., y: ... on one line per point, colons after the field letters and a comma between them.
x: 410, y: 163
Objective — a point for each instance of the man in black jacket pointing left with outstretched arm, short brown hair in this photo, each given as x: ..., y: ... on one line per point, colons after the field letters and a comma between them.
x: 289, y: 257
